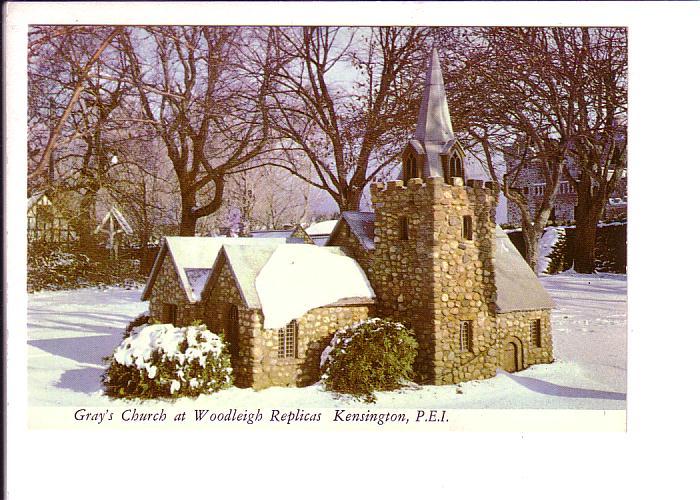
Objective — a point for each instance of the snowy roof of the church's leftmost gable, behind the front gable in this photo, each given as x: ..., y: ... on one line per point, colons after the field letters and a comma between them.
x: 196, y: 252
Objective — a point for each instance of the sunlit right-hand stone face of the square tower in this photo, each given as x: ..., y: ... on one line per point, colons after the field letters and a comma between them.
x: 464, y: 283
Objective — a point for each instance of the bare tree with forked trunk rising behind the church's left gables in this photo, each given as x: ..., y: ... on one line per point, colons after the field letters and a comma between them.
x: 204, y: 93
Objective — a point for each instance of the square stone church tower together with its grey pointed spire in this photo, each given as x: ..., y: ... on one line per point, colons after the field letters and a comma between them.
x: 433, y: 265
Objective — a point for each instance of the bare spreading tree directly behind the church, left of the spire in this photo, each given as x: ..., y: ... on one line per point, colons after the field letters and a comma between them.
x: 347, y: 132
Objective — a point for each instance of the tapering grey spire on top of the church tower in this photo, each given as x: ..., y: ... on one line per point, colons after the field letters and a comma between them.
x: 434, y: 123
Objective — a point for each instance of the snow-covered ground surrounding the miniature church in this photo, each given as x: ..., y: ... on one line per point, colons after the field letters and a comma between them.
x: 71, y: 331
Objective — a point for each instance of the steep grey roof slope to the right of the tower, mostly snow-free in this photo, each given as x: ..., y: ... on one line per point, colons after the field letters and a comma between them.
x: 517, y: 286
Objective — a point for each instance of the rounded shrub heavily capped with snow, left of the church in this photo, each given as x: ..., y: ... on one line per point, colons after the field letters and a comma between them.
x: 164, y: 361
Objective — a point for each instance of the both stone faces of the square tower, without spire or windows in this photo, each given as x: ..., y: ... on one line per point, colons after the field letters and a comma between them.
x: 437, y: 279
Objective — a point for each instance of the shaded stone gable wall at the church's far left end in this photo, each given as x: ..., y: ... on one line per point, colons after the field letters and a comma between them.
x: 168, y: 290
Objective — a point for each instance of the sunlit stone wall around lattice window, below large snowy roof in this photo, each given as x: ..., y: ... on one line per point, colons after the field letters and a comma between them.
x: 315, y: 330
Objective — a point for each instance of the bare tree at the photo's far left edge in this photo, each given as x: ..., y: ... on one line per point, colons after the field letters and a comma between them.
x: 77, y: 87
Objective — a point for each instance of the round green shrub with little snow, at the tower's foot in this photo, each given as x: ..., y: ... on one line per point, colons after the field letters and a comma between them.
x: 372, y: 355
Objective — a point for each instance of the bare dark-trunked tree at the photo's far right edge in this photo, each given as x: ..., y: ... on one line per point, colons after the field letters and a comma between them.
x: 599, y: 144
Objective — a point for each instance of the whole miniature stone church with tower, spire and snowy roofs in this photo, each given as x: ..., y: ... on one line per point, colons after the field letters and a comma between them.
x: 430, y: 256
